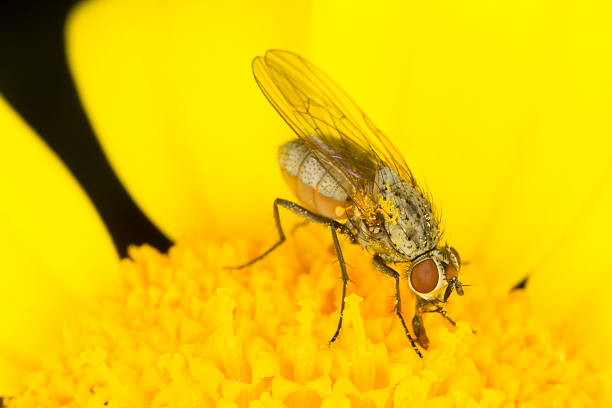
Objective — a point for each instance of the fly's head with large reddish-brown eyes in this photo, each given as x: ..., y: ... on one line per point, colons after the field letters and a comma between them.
x: 434, y: 275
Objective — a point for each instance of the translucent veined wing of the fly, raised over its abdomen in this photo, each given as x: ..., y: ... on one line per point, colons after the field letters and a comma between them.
x: 331, y: 124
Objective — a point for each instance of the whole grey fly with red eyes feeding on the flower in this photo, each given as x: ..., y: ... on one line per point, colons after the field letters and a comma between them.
x: 346, y: 175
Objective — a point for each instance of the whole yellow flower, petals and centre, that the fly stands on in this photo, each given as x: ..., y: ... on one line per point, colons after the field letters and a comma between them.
x: 501, y: 109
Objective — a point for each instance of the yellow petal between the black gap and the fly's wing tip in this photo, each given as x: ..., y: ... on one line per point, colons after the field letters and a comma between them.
x: 169, y: 90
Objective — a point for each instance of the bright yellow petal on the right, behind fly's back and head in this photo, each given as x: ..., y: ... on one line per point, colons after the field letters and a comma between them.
x: 501, y: 109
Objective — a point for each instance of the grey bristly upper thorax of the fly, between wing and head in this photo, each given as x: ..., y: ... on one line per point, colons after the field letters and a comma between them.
x: 407, y: 214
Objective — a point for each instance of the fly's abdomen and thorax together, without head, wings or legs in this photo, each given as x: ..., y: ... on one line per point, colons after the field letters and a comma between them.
x: 404, y: 226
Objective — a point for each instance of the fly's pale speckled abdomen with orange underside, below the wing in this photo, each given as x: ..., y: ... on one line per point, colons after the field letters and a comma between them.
x: 312, y: 183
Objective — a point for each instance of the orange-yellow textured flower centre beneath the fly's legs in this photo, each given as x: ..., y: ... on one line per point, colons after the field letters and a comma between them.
x: 183, y: 331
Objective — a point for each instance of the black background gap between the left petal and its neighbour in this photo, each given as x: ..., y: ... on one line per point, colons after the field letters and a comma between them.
x: 35, y: 79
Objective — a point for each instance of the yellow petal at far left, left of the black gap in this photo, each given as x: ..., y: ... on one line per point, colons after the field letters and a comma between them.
x: 54, y: 247
